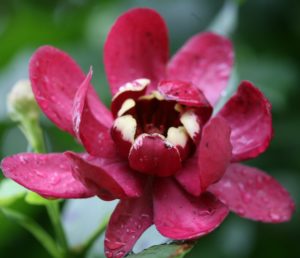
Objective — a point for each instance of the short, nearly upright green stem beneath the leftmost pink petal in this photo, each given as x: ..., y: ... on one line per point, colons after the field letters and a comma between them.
x: 54, y: 214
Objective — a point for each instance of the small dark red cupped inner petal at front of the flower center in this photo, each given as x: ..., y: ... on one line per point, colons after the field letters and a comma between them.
x: 151, y: 154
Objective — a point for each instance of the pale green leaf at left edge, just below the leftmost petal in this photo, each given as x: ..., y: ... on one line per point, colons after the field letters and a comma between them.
x: 10, y: 192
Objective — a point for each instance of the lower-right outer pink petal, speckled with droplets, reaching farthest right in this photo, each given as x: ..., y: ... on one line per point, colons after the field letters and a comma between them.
x: 253, y: 194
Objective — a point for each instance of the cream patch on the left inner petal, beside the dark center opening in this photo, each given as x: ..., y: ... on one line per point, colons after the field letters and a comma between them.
x: 127, y: 126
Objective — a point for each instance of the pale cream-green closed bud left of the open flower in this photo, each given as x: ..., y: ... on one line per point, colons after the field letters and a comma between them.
x: 21, y: 103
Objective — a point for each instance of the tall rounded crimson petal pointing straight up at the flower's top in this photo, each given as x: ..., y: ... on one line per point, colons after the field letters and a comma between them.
x: 136, y: 47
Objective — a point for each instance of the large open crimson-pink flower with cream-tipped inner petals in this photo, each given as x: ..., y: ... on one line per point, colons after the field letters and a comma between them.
x: 160, y: 150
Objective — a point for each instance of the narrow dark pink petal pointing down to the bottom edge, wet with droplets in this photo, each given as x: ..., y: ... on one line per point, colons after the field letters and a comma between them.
x: 127, y: 223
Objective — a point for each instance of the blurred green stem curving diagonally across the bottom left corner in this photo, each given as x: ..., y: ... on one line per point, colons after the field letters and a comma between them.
x: 35, y: 229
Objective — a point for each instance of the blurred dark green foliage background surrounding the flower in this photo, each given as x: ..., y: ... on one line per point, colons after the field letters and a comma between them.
x: 266, y: 36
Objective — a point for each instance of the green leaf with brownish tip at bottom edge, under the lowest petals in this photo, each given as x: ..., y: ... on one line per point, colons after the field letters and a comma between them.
x: 173, y: 250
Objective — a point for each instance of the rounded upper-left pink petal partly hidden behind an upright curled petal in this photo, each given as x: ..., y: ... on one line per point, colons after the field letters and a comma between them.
x: 55, y: 78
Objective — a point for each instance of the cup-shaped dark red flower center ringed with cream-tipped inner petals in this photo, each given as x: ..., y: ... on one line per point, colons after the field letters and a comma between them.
x: 155, y: 134
